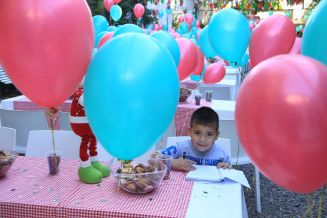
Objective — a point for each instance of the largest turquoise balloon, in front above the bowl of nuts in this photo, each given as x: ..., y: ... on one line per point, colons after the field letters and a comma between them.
x: 131, y: 94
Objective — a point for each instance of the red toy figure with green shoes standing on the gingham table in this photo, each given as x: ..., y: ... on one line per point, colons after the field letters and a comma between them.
x: 91, y: 170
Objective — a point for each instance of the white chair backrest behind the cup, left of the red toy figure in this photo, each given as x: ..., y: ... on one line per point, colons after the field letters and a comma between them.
x: 40, y: 143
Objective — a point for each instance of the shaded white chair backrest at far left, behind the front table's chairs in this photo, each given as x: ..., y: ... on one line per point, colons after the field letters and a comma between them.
x: 23, y: 121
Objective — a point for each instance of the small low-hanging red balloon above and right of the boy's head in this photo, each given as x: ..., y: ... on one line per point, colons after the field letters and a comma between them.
x: 214, y: 73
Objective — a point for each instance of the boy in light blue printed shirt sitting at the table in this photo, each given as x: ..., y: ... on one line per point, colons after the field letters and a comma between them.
x: 201, y: 149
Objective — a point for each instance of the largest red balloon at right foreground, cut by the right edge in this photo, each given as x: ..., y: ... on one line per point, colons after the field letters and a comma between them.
x: 281, y: 119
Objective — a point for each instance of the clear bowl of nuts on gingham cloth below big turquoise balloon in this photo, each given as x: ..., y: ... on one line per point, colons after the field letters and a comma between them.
x: 138, y: 177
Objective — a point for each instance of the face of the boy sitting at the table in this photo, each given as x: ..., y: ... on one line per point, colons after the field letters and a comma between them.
x: 203, y: 137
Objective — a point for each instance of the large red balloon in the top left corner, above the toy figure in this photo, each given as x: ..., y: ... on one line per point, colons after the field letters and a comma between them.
x: 46, y: 47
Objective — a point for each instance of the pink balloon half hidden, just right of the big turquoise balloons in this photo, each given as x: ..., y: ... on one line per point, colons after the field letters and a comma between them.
x: 188, y: 60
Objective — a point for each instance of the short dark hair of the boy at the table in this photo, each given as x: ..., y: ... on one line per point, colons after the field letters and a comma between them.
x: 205, y: 116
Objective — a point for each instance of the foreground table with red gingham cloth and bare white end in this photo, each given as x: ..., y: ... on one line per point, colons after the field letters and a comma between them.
x: 28, y: 190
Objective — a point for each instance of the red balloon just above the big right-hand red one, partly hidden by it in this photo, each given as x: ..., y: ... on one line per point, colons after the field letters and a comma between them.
x: 273, y: 36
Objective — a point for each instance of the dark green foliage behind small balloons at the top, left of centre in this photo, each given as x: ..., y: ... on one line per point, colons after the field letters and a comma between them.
x: 127, y: 16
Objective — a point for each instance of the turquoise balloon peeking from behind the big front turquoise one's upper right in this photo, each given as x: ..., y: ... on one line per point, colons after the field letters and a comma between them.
x: 170, y: 43
